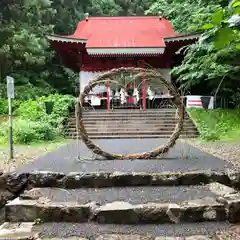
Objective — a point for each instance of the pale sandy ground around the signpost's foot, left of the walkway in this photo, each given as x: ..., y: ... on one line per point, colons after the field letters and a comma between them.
x: 26, y: 153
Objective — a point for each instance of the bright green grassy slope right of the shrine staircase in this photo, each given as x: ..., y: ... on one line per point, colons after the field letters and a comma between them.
x: 217, y: 125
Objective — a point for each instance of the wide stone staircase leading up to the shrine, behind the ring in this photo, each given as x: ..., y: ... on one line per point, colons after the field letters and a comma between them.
x: 117, y: 124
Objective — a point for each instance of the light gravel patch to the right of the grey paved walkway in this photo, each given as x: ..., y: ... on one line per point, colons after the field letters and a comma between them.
x: 226, y: 151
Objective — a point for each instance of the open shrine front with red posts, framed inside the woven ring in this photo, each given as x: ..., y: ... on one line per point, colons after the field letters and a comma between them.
x: 123, y: 92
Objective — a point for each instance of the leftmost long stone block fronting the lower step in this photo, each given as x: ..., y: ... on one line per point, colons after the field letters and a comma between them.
x: 46, y: 211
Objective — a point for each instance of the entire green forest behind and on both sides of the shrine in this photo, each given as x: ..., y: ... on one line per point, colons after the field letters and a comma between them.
x: 26, y: 55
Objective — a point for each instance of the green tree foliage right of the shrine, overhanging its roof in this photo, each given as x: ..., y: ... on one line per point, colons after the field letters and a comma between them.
x: 213, y: 61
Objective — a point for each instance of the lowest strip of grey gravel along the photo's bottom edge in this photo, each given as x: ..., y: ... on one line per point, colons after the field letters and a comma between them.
x: 90, y: 230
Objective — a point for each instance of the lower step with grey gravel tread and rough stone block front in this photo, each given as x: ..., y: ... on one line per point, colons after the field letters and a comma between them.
x: 212, y: 202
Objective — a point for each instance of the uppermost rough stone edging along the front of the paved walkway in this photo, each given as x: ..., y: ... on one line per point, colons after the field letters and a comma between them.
x: 16, y: 182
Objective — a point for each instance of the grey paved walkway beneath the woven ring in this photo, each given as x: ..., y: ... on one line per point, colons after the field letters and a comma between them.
x: 75, y: 157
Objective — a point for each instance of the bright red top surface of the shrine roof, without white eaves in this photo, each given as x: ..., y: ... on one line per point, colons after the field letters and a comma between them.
x: 124, y: 32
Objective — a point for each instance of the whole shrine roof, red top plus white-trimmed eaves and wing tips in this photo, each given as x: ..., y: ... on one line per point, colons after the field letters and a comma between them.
x: 124, y: 35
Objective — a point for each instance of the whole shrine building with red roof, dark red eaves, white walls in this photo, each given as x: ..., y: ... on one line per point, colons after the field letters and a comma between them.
x: 103, y: 43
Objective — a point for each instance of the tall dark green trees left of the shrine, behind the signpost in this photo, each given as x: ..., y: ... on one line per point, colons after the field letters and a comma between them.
x: 24, y: 25
